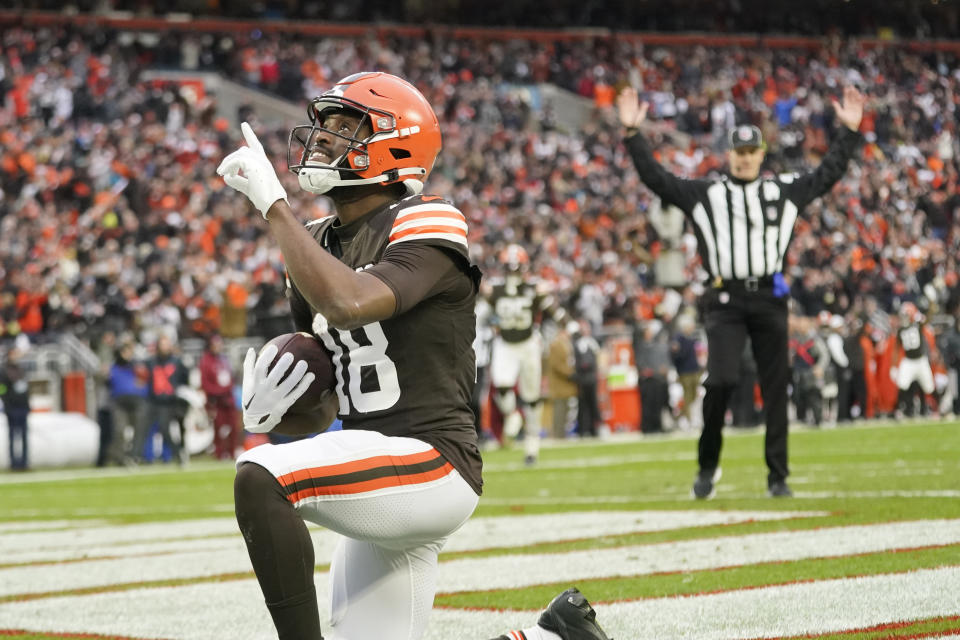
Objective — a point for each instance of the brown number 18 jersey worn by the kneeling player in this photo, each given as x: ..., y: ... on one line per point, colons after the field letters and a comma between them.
x: 412, y: 374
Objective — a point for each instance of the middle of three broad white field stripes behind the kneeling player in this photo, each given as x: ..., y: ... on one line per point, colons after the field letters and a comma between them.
x: 509, y: 571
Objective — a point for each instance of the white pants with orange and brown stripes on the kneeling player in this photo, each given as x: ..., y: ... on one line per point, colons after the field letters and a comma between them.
x: 395, y: 500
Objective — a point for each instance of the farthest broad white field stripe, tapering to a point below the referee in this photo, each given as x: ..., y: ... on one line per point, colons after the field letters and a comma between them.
x: 100, y: 563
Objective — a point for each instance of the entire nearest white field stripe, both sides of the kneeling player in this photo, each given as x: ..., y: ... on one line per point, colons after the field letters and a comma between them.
x: 234, y: 611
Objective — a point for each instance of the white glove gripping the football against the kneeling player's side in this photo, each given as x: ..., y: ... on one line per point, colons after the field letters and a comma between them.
x: 265, y: 397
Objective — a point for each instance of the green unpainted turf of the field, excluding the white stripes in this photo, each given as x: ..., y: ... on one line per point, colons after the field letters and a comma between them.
x: 858, y: 475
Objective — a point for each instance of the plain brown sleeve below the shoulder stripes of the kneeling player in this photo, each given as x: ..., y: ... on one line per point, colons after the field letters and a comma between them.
x: 416, y: 272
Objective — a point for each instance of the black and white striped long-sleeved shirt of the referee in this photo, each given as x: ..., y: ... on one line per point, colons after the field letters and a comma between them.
x: 743, y: 228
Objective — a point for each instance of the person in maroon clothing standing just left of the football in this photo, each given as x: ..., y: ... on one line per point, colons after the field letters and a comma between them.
x: 217, y: 382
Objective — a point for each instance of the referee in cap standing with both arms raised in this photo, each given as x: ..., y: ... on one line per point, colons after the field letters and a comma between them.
x: 743, y: 225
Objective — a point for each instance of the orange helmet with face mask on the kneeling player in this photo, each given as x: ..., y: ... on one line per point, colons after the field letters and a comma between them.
x: 403, y: 145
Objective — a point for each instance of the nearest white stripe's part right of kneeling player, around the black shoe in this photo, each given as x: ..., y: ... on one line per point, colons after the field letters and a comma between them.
x: 799, y: 609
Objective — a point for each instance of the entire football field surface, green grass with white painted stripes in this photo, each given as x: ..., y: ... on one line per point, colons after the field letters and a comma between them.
x: 868, y: 548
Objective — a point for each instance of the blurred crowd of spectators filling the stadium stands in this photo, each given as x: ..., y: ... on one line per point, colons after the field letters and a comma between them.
x: 112, y: 217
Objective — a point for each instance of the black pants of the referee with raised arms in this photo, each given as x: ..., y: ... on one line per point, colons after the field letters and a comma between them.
x: 729, y: 316
